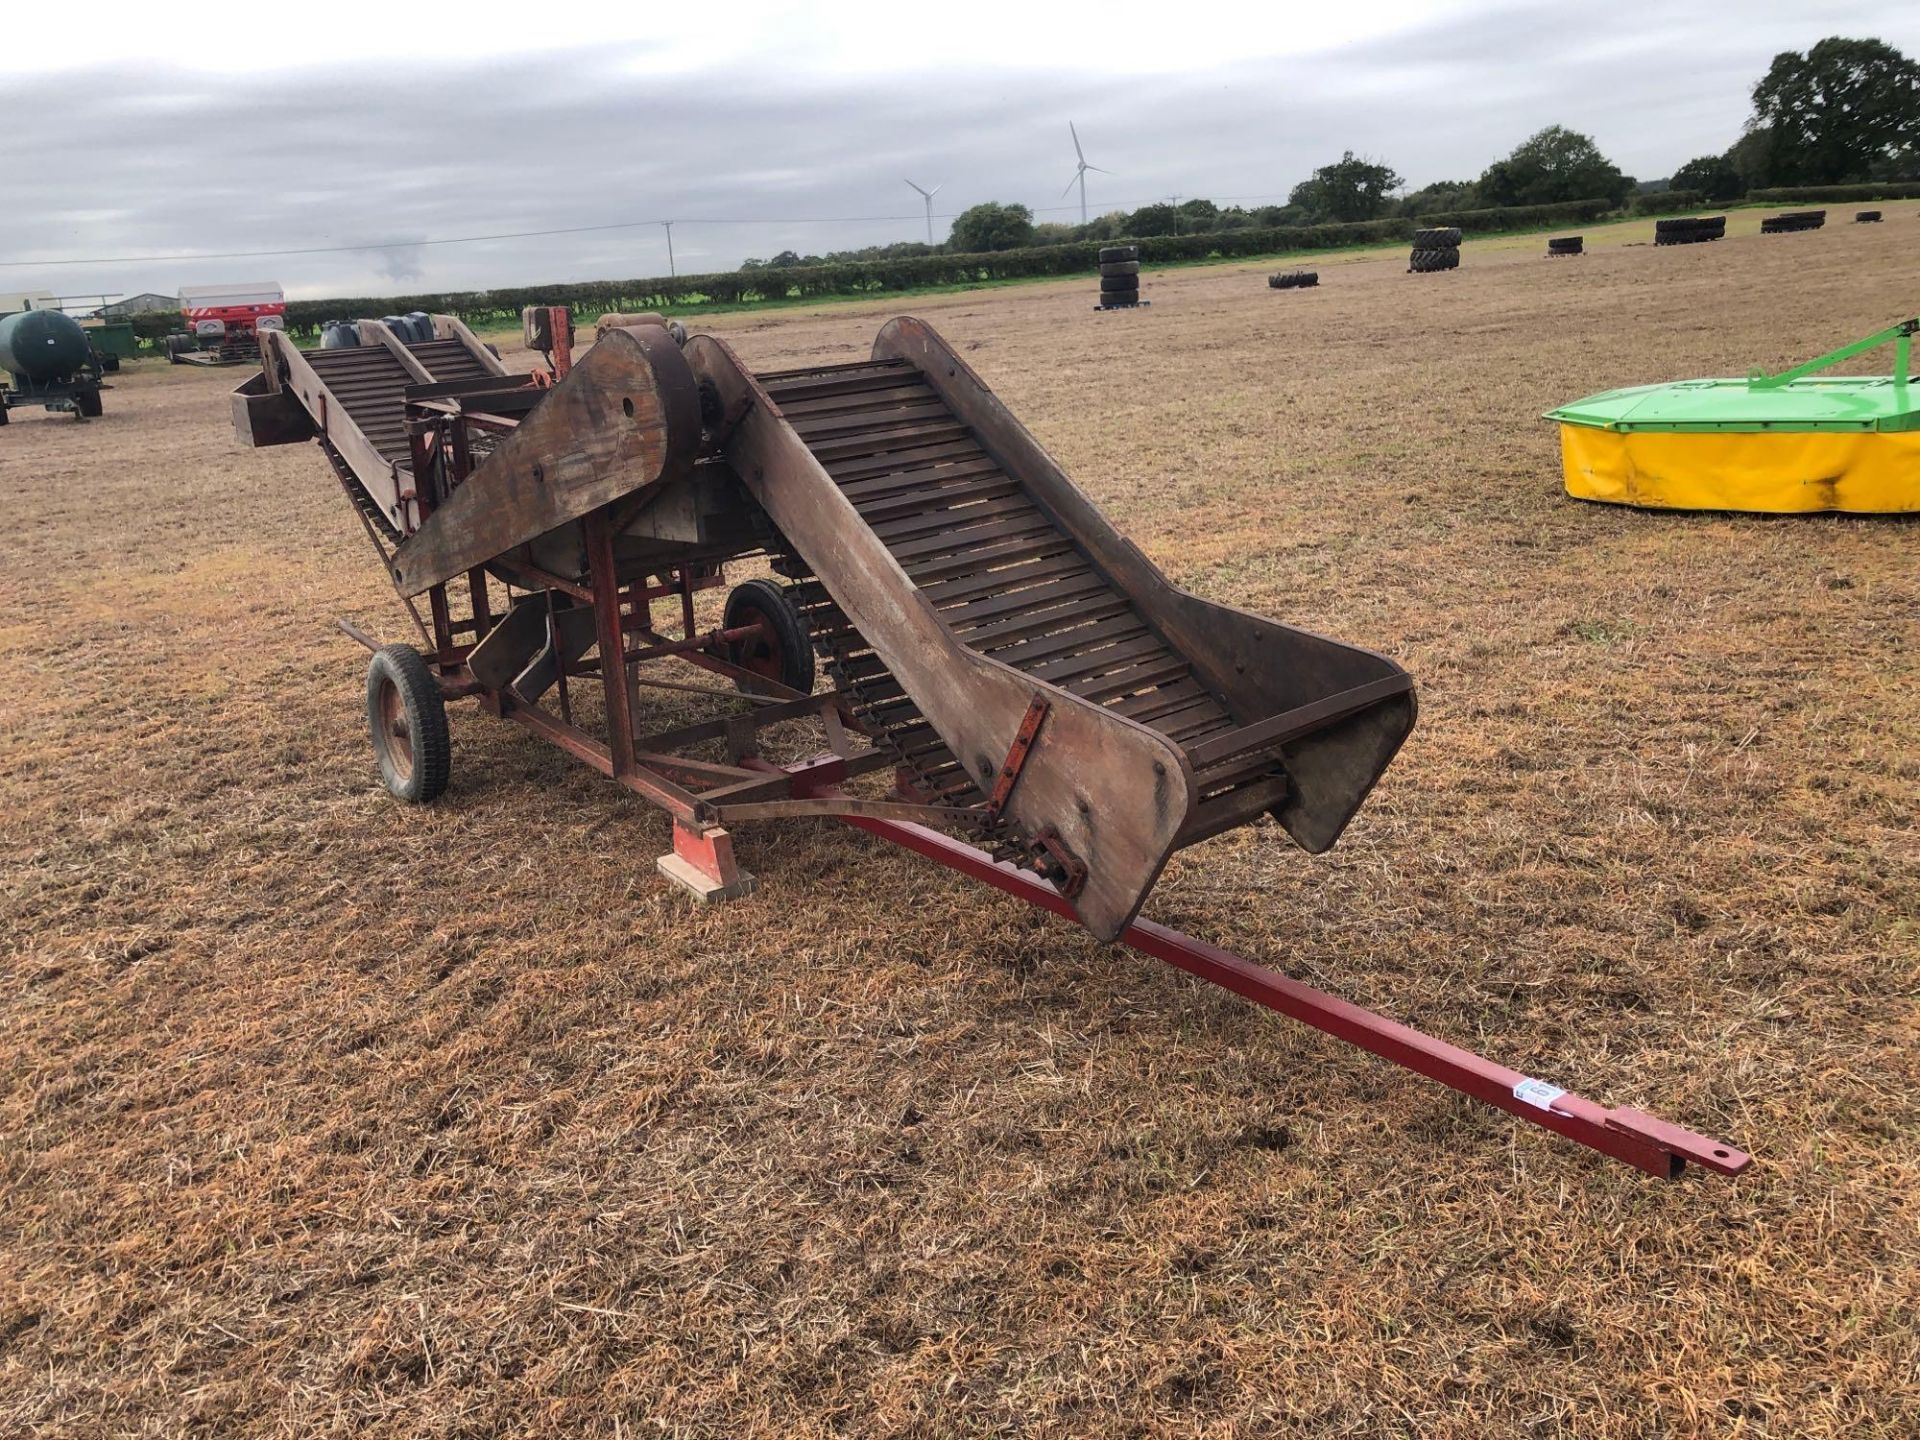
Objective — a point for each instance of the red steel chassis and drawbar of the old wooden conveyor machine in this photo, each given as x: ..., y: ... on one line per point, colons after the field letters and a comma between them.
x: 756, y: 788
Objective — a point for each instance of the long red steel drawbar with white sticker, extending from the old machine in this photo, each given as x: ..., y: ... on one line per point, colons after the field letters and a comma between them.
x: 1631, y: 1136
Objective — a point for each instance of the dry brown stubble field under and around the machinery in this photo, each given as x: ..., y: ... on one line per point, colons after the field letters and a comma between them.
x: 322, y: 1116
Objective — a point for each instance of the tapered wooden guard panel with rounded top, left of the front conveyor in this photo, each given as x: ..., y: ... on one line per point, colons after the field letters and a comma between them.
x: 627, y: 418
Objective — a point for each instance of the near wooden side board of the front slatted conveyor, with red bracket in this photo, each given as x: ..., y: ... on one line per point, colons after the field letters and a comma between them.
x: 1116, y: 792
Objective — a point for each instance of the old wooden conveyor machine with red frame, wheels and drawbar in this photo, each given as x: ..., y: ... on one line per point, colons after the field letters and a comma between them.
x: 1055, y: 717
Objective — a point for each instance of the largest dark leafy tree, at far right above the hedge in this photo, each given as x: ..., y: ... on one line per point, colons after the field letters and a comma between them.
x: 1846, y: 110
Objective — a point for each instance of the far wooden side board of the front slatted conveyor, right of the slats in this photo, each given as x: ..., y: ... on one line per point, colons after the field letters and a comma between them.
x: 1260, y: 667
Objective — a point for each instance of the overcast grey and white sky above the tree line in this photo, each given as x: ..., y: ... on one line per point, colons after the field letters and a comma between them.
x: 759, y: 128
